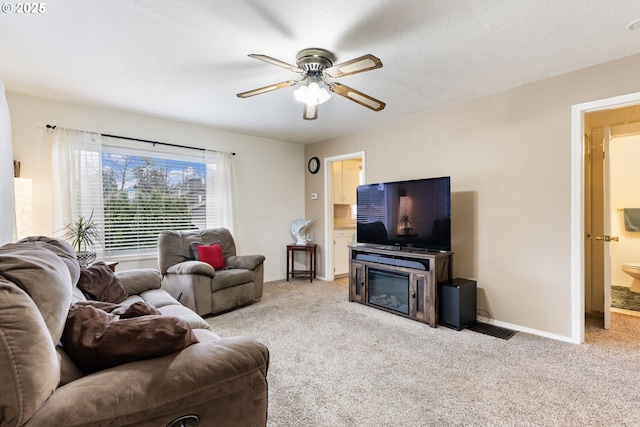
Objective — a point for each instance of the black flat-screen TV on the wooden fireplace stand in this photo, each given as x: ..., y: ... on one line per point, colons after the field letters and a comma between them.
x: 412, y: 214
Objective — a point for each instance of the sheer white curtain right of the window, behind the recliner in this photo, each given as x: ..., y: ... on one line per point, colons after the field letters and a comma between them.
x: 220, y: 190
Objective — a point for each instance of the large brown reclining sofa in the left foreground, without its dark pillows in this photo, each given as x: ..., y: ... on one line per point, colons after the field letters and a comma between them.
x: 220, y: 381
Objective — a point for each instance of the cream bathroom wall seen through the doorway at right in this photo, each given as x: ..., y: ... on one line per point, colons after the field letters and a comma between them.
x: 625, y: 193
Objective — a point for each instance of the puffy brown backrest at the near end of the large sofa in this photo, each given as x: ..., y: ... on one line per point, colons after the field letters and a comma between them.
x: 35, y: 289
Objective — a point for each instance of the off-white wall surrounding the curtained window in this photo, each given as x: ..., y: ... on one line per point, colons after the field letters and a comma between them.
x: 269, y: 173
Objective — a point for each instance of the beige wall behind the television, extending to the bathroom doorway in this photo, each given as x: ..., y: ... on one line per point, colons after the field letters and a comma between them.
x: 509, y: 158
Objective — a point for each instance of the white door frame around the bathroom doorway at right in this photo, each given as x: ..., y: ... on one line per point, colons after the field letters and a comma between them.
x: 578, y: 188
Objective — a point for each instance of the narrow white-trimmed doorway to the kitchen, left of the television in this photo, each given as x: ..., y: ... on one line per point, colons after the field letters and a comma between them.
x: 335, y: 202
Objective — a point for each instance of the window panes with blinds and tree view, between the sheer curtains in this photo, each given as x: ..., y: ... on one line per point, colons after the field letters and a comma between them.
x: 144, y: 195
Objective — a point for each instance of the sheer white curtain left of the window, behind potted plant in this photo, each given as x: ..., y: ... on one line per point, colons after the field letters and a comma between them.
x: 76, y: 168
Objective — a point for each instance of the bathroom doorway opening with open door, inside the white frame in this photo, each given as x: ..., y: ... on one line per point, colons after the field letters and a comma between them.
x: 613, y: 198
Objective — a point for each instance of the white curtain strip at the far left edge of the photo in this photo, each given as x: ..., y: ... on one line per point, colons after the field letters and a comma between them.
x: 7, y: 202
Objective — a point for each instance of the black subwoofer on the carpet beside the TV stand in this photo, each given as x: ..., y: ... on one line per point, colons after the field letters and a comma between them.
x: 457, y: 303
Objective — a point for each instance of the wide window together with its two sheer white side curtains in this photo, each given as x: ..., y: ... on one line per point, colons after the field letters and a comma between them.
x: 134, y: 191
